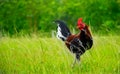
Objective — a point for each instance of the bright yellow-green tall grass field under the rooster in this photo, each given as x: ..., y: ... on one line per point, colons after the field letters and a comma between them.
x: 33, y: 55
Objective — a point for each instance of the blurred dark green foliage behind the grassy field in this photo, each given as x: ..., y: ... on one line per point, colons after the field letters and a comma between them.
x: 20, y: 17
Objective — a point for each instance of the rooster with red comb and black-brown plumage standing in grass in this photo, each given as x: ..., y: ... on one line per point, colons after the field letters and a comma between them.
x: 77, y: 43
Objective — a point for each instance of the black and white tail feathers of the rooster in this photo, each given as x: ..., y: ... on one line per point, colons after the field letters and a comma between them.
x: 62, y: 30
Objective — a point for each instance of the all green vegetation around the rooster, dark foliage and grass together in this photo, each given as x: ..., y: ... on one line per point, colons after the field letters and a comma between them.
x: 27, y: 48
